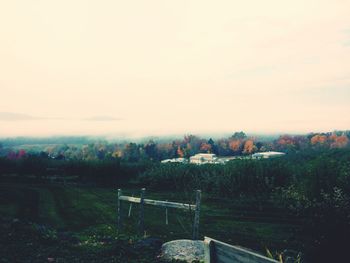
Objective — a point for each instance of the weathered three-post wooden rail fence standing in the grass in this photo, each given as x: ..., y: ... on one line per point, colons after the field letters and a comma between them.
x: 142, y: 202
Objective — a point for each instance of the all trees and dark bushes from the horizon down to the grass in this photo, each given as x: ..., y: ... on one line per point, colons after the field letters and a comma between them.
x: 310, y: 184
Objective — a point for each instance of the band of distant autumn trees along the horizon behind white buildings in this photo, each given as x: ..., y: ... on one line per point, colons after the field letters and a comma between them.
x: 93, y: 149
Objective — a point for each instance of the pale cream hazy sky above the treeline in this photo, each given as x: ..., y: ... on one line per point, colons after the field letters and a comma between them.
x: 146, y: 67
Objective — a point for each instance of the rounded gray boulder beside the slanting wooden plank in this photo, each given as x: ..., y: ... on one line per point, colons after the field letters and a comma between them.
x: 183, y: 250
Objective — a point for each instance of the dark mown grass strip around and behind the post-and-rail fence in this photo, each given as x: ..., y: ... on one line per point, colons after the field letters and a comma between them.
x: 89, y: 212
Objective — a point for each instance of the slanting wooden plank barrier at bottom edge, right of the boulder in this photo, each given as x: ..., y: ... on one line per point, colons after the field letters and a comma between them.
x: 219, y: 252
